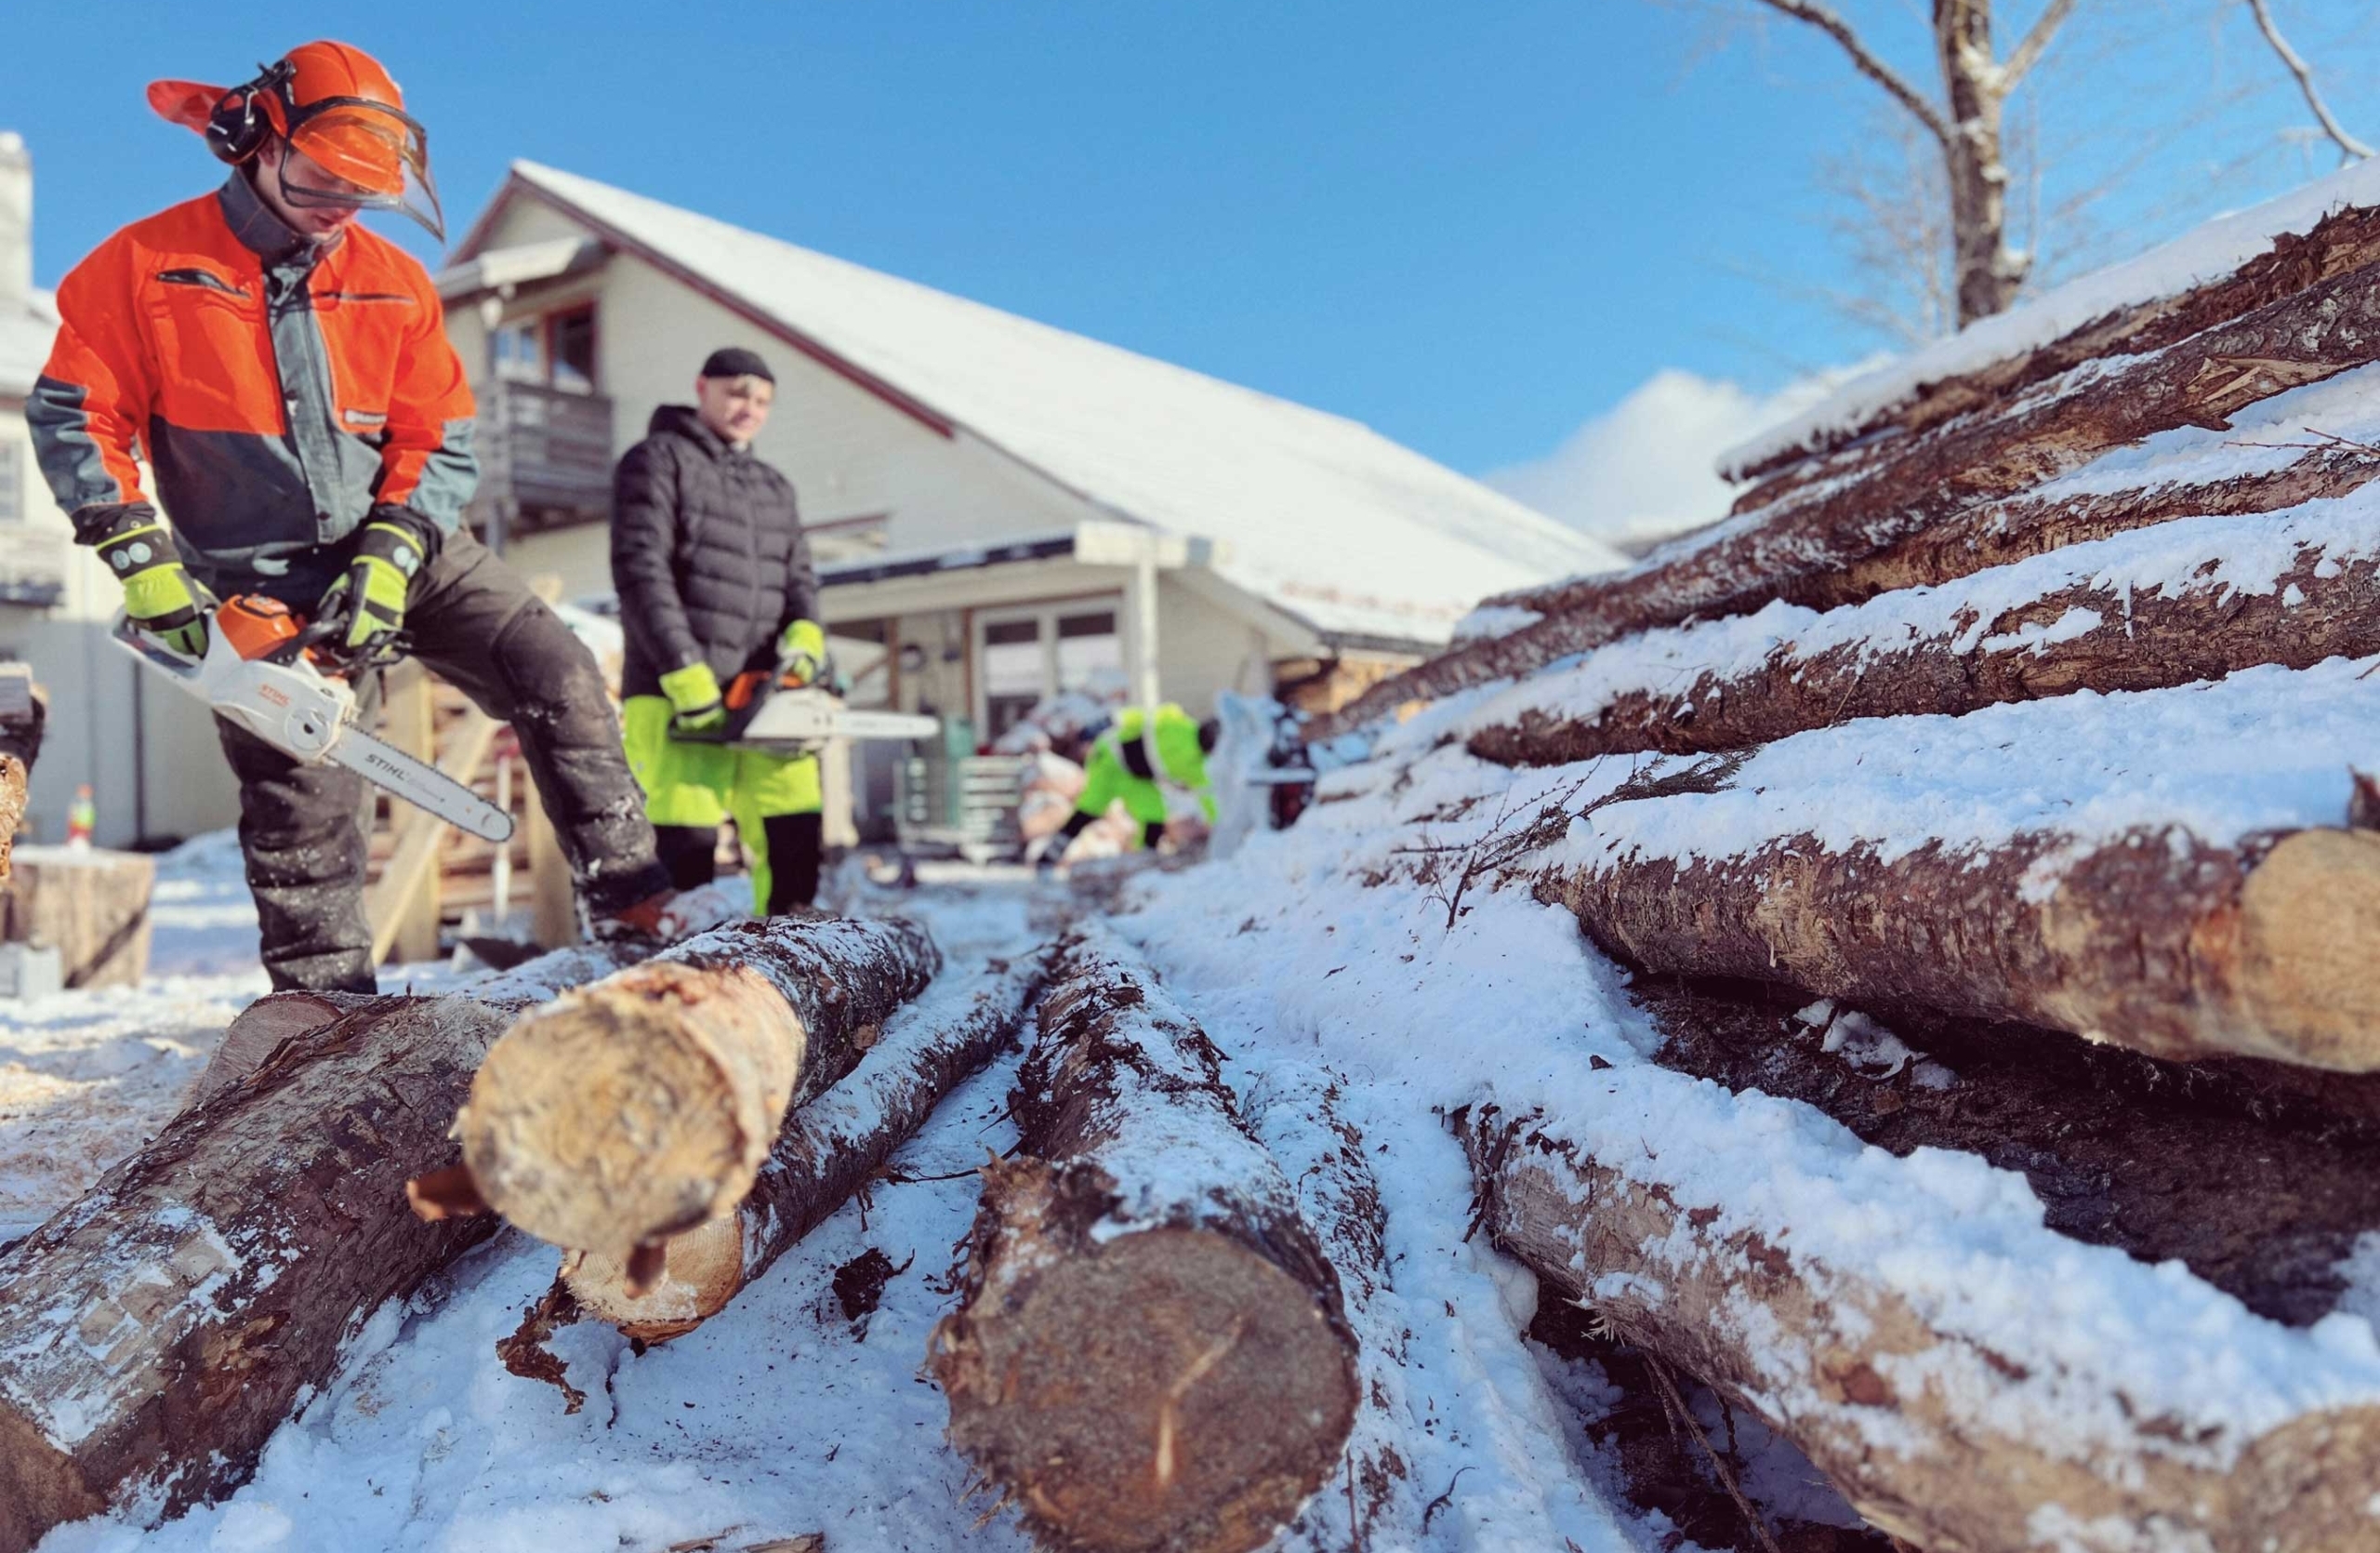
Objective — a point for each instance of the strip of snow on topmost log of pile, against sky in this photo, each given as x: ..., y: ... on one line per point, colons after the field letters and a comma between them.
x: 2196, y: 258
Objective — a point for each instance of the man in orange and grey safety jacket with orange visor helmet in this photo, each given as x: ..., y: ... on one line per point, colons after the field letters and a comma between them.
x: 289, y: 382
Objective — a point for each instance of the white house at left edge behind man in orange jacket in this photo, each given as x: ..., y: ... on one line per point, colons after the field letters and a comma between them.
x: 146, y: 751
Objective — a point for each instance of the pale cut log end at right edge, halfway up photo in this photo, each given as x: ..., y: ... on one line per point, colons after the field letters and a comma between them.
x: 2310, y: 949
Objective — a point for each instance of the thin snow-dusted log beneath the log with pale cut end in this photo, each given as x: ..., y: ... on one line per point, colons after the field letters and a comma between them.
x: 829, y: 1149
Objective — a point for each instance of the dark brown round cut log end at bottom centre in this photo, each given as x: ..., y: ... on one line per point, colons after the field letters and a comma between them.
x: 1184, y: 1337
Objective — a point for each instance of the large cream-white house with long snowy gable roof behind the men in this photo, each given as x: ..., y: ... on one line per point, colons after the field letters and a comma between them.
x: 1003, y: 509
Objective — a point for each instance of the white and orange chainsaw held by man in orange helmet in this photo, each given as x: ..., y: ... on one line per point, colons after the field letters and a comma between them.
x: 261, y: 675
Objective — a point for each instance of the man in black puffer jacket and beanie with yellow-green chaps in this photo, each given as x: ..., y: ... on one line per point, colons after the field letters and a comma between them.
x: 715, y: 580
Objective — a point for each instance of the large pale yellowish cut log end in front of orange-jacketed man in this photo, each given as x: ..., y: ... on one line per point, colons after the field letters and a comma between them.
x: 613, y: 1116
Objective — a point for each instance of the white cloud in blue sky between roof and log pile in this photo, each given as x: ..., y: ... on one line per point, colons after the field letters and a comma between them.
x: 1643, y: 470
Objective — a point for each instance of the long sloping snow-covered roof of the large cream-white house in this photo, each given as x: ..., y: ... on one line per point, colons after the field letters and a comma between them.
x: 1320, y: 516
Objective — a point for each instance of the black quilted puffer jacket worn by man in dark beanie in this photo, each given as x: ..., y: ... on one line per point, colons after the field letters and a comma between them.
x: 708, y: 554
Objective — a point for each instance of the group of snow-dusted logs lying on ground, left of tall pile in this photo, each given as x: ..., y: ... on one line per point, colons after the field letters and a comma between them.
x: 1151, y: 1342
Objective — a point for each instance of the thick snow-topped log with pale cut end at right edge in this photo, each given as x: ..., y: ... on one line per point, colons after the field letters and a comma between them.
x: 2146, y: 868
